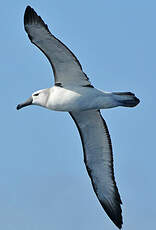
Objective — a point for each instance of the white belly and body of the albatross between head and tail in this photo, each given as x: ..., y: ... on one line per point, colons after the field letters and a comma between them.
x: 78, y: 99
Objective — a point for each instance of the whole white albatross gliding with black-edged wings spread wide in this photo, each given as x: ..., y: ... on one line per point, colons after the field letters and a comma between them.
x: 74, y: 93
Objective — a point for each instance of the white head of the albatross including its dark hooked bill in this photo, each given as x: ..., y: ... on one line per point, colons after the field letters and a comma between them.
x: 39, y: 97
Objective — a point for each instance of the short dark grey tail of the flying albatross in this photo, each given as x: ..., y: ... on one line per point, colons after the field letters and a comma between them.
x: 126, y: 99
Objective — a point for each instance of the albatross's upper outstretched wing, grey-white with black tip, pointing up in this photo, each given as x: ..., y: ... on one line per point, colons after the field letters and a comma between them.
x: 66, y: 67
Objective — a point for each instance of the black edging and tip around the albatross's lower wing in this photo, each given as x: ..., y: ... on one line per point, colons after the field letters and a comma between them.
x: 116, y: 217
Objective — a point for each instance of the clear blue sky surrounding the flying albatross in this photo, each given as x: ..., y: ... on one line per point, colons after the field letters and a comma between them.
x: 43, y: 181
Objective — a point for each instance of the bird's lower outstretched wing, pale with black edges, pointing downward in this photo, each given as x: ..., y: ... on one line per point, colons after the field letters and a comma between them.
x: 98, y: 159
